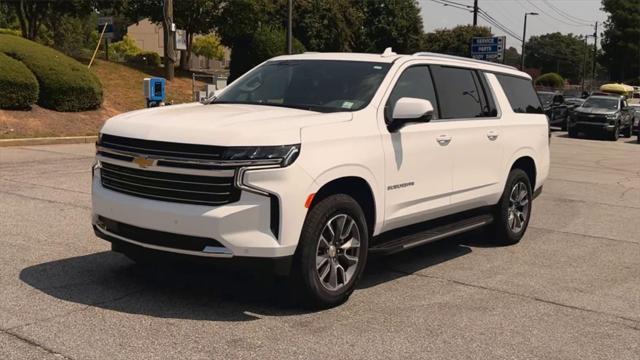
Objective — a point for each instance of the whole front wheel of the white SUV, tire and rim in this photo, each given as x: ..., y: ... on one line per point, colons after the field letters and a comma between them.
x: 332, y: 251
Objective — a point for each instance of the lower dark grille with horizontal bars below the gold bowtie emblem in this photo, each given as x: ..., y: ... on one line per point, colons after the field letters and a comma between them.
x: 173, y: 187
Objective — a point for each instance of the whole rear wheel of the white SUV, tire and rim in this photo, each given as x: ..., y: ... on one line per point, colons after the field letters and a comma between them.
x: 513, y: 211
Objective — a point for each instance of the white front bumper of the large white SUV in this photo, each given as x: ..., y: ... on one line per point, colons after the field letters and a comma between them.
x: 243, y: 228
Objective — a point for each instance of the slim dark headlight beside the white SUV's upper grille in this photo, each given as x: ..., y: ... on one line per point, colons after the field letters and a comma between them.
x: 284, y: 155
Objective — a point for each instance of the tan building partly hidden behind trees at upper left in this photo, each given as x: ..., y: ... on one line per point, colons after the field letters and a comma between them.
x: 148, y: 36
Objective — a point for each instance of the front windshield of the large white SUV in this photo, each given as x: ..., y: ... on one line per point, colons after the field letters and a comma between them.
x: 317, y: 85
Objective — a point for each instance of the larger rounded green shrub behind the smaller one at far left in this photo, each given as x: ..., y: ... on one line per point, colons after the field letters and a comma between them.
x: 65, y: 84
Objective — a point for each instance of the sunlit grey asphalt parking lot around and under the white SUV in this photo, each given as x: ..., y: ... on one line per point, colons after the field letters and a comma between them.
x: 569, y: 290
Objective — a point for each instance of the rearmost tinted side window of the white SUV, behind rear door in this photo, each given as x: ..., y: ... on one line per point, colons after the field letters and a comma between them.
x: 521, y: 95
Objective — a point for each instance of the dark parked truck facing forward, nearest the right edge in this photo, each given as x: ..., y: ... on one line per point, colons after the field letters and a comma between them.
x: 607, y: 115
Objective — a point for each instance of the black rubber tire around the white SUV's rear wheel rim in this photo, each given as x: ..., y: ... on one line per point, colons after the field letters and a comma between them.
x: 501, y: 231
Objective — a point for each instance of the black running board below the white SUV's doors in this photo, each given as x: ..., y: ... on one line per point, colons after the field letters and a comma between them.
x: 399, y: 240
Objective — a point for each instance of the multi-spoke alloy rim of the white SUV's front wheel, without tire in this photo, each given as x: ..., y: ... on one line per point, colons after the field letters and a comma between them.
x: 338, y: 252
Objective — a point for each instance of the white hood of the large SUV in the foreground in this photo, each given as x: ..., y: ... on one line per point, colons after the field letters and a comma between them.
x: 219, y: 124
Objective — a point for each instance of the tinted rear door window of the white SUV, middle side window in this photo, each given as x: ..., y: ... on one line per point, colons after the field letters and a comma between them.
x: 459, y: 93
